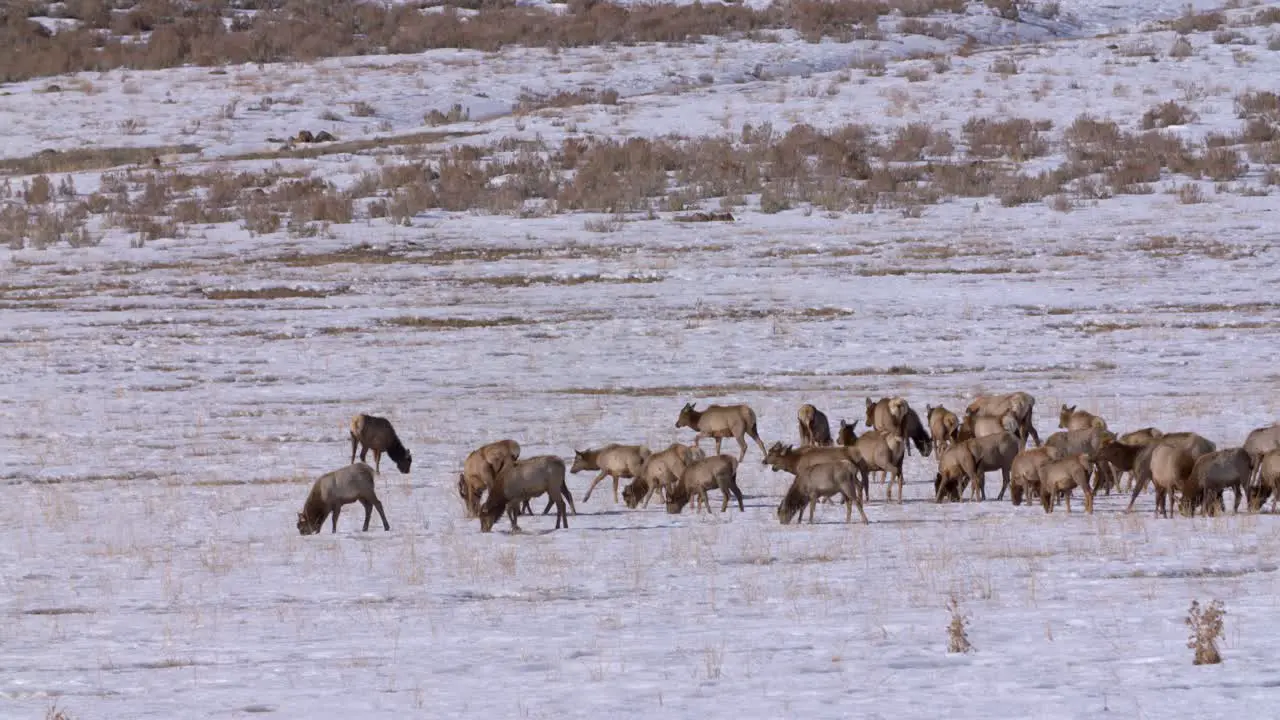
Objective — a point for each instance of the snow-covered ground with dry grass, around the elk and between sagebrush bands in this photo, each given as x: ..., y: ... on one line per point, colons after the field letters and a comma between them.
x: 167, y: 408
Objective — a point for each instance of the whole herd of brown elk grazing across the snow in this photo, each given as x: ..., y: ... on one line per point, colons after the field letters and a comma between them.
x: 993, y: 435
